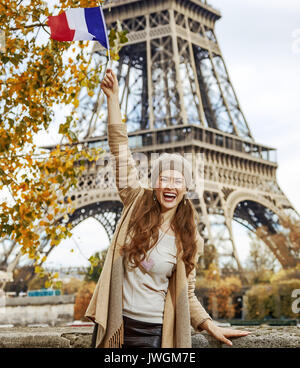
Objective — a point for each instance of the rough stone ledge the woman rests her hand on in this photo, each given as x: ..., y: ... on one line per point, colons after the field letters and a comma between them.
x: 80, y: 337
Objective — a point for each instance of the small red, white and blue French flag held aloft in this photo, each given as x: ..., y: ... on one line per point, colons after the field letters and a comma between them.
x: 79, y: 24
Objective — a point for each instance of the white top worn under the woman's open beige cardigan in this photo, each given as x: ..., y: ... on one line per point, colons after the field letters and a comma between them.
x: 144, y: 292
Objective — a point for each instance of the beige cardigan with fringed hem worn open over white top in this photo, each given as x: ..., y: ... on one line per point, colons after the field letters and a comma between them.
x: 182, y: 308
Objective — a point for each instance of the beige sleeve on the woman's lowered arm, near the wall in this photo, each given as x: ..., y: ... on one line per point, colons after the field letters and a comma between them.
x: 197, y: 312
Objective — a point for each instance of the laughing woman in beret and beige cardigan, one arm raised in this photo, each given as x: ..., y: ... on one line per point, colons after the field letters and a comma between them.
x: 145, y: 294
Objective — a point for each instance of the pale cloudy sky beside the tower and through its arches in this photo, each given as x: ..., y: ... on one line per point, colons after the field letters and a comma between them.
x: 260, y: 42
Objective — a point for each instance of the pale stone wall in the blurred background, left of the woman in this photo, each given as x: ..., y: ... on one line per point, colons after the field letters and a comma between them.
x: 51, y: 310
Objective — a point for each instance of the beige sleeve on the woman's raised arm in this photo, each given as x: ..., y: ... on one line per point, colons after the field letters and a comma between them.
x: 126, y: 175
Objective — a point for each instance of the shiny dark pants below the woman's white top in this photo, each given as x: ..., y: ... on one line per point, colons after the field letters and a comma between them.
x: 139, y: 334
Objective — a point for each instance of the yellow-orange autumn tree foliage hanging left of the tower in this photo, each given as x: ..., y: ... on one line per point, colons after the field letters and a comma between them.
x: 35, y: 77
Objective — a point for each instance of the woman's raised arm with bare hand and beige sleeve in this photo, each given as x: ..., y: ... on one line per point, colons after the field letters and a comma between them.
x: 127, y: 181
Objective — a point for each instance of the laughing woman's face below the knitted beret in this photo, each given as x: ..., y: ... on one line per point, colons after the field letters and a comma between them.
x: 170, y: 189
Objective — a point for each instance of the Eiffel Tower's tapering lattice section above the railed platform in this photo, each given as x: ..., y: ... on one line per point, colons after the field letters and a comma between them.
x: 171, y: 72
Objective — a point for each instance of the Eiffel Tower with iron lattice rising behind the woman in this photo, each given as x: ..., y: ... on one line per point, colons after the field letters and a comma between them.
x: 177, y: 96
